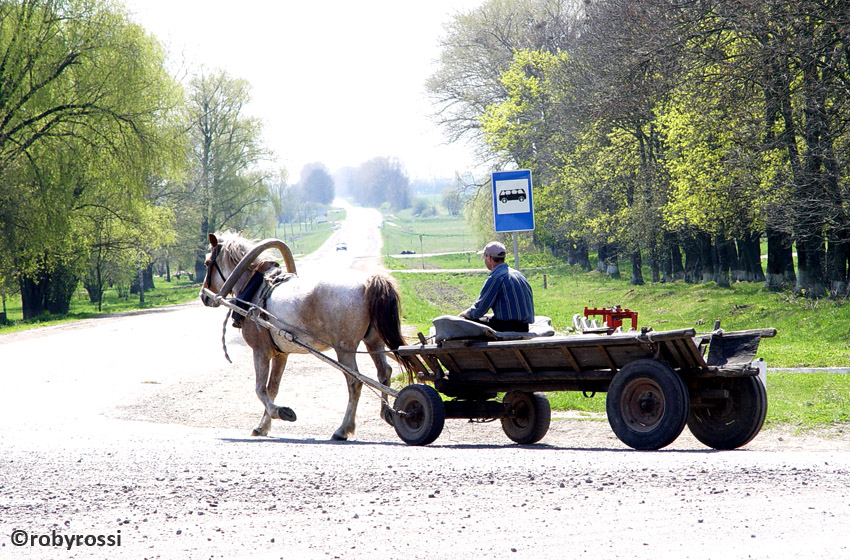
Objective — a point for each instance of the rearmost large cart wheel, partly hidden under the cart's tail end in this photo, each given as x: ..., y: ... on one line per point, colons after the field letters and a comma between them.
x: 732, y: 422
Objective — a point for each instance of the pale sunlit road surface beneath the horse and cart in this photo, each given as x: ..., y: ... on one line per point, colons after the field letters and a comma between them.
x: 128, y: 437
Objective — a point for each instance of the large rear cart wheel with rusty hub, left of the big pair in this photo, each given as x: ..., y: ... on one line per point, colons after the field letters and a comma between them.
x: 647, y: 405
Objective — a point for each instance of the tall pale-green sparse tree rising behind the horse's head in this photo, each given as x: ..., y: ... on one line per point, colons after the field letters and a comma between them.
x: 227, y: 186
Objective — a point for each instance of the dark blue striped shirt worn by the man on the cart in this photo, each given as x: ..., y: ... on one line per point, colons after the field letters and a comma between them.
x: 508, y: 293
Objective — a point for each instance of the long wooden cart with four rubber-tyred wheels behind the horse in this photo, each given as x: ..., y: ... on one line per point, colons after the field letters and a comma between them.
x: 656, y: 382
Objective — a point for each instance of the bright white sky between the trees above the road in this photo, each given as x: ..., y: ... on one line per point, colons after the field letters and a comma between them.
x: 338, y: 82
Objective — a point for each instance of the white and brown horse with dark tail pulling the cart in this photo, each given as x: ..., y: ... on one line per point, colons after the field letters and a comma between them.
x: 337, y: 313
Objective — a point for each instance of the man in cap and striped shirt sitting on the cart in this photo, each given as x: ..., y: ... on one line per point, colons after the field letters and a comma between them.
x: 506, y: 291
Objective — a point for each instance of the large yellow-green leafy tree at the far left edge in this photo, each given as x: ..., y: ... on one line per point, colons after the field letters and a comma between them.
x: 84, y: 106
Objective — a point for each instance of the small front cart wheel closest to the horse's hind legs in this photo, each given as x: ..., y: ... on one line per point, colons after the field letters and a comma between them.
x: 419, y: 414
